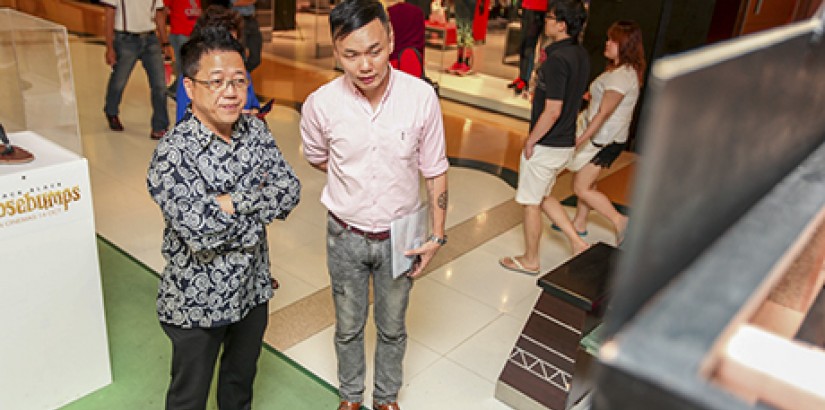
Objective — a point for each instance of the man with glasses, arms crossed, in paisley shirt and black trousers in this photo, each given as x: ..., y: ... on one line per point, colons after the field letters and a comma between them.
x: 219, y: 179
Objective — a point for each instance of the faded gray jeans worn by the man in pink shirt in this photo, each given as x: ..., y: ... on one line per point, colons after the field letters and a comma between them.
x: 352, y: 259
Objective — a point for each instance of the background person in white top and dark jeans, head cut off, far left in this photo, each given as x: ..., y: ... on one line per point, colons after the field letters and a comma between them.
x: 136, y: 30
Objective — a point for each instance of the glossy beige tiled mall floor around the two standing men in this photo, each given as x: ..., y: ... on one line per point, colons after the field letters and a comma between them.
x: 463, y: 317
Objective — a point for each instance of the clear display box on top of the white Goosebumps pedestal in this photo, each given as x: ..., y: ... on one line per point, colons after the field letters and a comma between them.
x: 36, y: 85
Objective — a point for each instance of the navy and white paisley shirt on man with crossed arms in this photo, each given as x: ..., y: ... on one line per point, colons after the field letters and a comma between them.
x: 217, y: 264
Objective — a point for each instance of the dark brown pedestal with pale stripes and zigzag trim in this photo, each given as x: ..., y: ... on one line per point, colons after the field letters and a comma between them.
x: 539, y: 373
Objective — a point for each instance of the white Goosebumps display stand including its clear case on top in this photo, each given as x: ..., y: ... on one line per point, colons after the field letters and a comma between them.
x: 47, y: 232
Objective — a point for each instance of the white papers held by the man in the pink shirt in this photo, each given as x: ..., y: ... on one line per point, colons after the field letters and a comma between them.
x: 406, y: 233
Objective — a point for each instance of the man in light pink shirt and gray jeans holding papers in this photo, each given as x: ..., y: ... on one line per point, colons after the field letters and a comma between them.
x: 375, y: 131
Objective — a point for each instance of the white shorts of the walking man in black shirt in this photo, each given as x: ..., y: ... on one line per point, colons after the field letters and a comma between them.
x: 537, y: 175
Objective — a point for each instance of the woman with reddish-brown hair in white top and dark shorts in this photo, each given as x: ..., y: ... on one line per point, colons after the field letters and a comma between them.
x: 613, y: 96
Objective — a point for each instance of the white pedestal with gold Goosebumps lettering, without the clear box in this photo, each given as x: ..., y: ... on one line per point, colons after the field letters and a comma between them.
x: 54, y: 347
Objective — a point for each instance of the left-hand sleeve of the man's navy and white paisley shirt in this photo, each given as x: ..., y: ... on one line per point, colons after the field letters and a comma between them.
x: 192, y: 212
